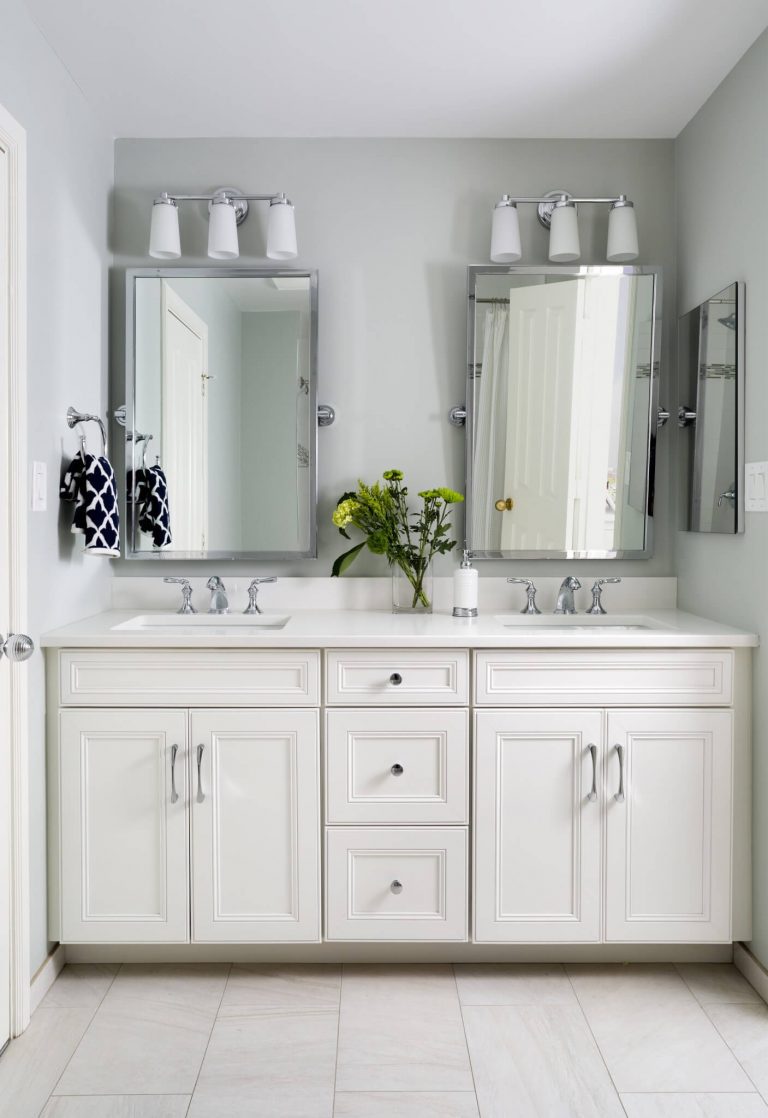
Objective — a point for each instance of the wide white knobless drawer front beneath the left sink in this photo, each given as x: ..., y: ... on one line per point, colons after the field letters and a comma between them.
x: 186, y: 678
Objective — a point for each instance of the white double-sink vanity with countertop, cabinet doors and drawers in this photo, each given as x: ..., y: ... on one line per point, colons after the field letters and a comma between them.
x: 356, y: 776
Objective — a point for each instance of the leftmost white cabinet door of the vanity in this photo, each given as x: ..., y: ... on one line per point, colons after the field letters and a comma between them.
x: 125, y: 868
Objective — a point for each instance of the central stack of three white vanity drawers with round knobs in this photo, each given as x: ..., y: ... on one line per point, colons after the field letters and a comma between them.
x: 397, y: 759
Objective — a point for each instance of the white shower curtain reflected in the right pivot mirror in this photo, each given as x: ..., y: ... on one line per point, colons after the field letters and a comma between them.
x: 490, y: 451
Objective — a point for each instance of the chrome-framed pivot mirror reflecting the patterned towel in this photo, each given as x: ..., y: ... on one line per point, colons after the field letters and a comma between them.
x: 222, y: 411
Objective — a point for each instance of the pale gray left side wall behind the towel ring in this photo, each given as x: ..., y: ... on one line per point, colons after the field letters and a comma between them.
x: 70, y: 179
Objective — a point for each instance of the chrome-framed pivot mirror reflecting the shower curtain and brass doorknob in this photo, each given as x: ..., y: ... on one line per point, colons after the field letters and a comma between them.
x: 562, y: 405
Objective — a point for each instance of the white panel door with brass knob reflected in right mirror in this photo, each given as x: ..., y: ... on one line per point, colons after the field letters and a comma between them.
x: 537, y: 476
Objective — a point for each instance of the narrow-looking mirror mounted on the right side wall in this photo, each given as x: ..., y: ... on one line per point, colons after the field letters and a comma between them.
x: 710, y: 343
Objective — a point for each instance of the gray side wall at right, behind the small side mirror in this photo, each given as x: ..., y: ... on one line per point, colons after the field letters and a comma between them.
x: 722, y: 164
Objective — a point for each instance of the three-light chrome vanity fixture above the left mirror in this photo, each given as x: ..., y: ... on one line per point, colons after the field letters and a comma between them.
x: 227, y: 209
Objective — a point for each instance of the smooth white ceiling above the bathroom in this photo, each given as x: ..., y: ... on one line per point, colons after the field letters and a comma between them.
x: 549, y: 69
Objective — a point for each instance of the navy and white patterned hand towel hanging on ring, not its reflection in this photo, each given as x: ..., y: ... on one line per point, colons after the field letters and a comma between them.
x: 91, y: 484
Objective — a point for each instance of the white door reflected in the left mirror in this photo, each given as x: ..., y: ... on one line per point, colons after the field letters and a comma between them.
x: 185, y: 421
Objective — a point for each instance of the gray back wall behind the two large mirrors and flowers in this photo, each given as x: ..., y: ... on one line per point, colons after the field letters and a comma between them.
x: 392, y: 225
